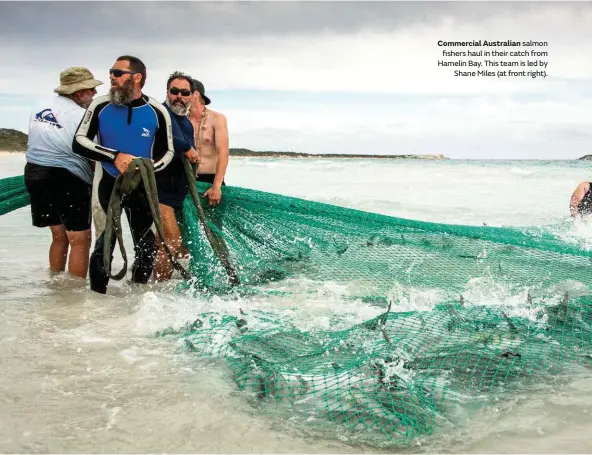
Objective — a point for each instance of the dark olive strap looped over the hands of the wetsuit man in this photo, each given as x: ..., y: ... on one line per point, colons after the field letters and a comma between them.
x: 126, y: 183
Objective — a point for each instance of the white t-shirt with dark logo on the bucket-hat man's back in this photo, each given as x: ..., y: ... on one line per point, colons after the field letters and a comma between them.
x: 52, y: 126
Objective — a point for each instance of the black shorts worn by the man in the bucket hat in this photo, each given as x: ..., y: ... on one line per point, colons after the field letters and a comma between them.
x: 58, y: 197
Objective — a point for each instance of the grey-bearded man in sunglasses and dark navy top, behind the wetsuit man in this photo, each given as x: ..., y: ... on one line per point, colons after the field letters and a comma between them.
x: 171, y: 182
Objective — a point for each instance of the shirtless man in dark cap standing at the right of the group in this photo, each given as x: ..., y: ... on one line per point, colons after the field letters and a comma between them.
x: 211, y: 143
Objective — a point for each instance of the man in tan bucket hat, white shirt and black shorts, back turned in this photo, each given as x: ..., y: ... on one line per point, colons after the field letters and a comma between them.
x: 59, y: 181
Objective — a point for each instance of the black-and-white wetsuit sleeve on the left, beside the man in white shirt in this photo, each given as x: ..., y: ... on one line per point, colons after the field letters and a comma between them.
x: 83, y: 143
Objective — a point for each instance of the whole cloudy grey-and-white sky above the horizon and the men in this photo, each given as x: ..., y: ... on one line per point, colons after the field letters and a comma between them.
x: 325, y: 77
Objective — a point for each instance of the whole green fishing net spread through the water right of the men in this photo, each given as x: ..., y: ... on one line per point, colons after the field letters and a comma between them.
x: 402, y: 374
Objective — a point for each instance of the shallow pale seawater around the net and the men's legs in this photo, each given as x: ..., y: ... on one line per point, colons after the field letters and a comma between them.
x: 82, y: 372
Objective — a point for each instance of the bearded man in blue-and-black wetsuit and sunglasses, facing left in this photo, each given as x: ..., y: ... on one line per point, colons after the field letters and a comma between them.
x: 126, y: 124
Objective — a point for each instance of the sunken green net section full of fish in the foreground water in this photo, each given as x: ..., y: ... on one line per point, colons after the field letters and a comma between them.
x: 400, y: 376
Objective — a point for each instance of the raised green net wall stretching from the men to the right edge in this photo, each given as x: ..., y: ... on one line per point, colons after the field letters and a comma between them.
x: 270, y: 237
